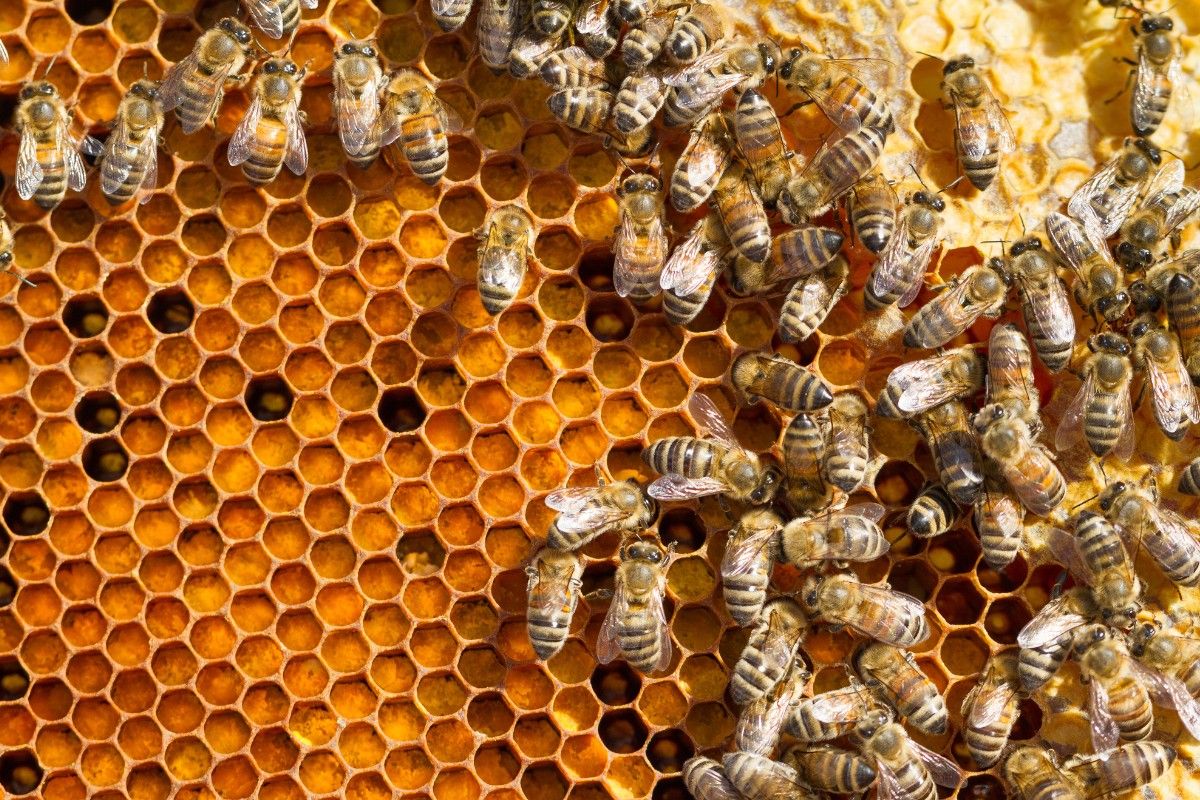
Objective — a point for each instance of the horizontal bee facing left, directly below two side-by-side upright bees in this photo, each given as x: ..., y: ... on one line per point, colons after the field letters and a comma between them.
x: 850, y: 534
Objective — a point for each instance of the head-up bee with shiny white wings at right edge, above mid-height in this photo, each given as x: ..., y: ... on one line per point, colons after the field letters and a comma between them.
x: 1174, y: 398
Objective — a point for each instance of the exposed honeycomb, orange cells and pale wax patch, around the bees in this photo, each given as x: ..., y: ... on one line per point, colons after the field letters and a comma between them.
x: 271, y: 473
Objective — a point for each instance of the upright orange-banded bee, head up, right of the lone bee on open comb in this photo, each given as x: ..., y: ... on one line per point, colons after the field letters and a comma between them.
x: 641, y: 242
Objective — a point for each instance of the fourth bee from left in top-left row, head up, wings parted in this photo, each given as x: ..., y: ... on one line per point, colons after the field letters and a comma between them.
x: 272, y: 133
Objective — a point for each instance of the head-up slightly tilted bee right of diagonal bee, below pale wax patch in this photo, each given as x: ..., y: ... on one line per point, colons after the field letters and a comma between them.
x: 1045, y: 304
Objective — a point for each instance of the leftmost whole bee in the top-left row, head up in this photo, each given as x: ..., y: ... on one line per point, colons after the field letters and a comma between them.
x: 49, y: 160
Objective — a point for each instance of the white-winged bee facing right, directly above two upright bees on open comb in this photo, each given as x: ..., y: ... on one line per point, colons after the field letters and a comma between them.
x: 587, y: 513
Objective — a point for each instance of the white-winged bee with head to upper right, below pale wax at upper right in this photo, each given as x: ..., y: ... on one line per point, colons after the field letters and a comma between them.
x: 1106, y: 200
